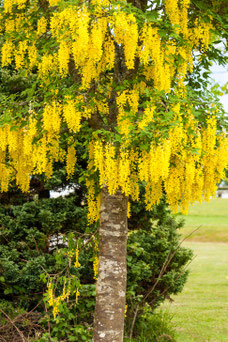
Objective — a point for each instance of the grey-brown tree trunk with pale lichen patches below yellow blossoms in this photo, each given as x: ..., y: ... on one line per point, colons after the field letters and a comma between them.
x: 112, y: 274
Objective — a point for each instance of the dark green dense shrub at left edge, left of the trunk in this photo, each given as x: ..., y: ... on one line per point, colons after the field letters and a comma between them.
x: 25, y: 231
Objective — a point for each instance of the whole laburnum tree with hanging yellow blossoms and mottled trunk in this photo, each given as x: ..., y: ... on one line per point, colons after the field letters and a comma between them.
x: 117, y: 74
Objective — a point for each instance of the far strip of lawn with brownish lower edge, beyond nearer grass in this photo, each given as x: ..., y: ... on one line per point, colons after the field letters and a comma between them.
x: 212, y: 217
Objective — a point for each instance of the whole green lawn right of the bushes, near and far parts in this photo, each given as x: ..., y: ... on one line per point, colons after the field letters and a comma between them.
x: 200, y: 312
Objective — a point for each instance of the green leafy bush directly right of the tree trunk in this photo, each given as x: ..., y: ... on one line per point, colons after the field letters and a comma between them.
x: 156, y: 261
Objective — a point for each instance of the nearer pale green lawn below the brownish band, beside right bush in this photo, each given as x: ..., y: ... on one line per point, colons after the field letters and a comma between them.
x: 200, y: 312
